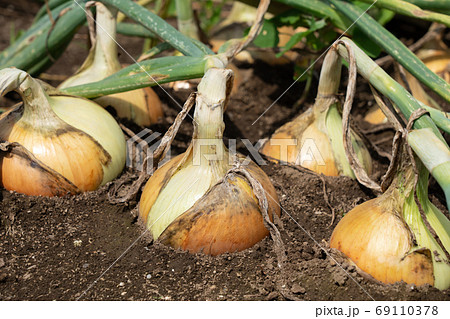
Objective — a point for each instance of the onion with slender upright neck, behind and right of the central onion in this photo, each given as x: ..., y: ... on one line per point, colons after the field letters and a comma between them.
x: 314, y: 139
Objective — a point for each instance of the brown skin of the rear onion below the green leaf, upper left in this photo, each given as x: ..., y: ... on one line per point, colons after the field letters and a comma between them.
x: 142, y: 106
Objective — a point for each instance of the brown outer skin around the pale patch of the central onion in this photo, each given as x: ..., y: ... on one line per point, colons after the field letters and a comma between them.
x: 219, y: 230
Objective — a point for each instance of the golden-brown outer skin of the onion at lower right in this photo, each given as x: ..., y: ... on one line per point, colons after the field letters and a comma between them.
x: 378, y: 242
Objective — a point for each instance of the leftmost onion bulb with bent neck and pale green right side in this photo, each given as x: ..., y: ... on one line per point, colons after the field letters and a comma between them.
x: 67, y: 144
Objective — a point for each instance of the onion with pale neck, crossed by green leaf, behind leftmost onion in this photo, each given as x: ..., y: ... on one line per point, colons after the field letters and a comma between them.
x: 142, y: 106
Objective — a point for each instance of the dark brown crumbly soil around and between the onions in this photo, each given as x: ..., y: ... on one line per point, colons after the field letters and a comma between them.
x: 83, y: 247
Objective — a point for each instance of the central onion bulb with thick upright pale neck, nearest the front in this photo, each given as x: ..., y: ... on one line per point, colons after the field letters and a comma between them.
x: 191, y: 202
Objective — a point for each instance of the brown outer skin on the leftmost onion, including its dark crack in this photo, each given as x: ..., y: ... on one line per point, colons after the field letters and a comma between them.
x: 53, y: 172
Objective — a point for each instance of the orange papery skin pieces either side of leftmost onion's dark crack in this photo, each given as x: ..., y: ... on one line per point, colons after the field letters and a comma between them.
x: 70, y: 153
